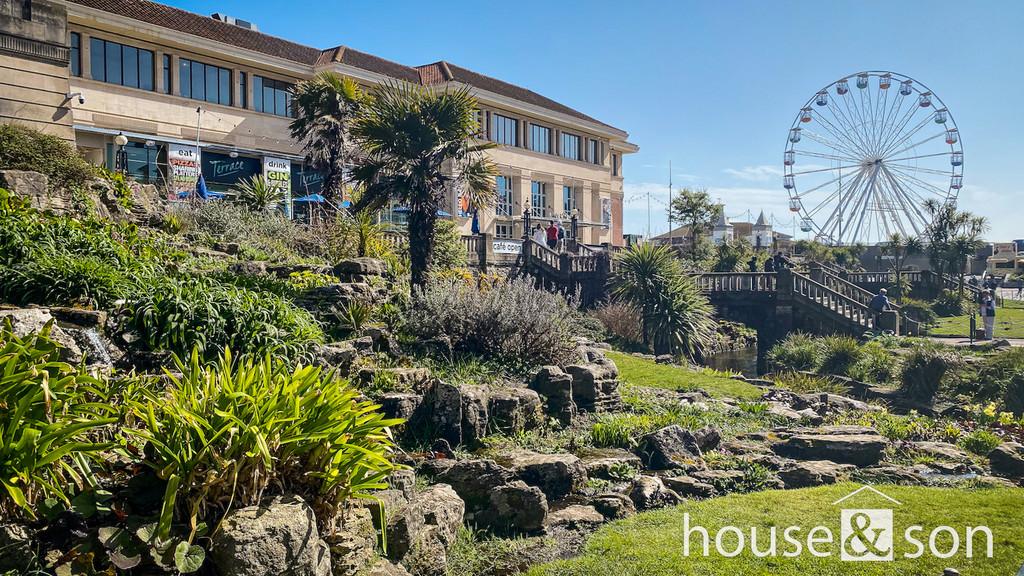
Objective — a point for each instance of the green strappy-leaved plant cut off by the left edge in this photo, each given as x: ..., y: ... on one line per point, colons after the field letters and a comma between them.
x: 48, y: 413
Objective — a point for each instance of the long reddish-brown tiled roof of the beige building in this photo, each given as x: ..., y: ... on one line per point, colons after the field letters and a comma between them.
x: 429, y: 75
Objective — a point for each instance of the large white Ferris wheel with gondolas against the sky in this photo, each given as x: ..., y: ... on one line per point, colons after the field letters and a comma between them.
x: 866, y: 153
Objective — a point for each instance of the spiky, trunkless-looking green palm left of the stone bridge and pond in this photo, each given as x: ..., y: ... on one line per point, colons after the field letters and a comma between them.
x: 675, y: 317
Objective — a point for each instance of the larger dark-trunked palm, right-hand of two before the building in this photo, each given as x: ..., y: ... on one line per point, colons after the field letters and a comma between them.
x: 417, y: 148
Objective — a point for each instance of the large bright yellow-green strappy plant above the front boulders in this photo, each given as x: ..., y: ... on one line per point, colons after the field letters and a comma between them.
x: 233, y: 431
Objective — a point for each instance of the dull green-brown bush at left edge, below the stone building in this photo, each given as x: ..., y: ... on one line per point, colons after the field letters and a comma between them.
x: 25, y: 149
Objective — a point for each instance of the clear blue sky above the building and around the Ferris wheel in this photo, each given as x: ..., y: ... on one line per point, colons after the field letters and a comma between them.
x: 712, y: 87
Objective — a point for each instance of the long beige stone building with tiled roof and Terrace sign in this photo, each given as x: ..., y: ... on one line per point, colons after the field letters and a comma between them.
x: 168, y: 79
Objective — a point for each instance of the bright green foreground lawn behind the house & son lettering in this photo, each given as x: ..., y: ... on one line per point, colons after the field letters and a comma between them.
x: 652, y: 544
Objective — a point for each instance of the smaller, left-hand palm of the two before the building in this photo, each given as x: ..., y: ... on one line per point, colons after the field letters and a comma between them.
x: 324, y: 109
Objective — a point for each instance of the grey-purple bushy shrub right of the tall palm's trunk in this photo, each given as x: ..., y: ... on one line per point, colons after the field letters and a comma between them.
x: 513, y: 322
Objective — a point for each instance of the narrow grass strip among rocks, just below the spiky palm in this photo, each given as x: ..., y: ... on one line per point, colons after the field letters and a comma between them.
x: 643, y: 373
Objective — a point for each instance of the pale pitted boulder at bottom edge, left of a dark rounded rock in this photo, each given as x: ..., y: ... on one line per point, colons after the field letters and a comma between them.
x: 421, y: 532
